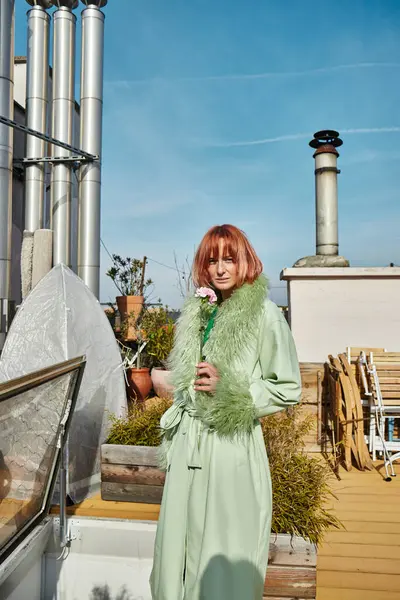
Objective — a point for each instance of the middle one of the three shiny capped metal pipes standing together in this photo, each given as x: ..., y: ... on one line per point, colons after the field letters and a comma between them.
x: 63, y: 109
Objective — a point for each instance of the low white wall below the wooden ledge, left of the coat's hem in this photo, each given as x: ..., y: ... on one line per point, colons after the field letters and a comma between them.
x: 106, y: 558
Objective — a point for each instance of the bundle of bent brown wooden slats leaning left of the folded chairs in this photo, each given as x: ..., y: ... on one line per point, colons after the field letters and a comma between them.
x: 347, y: 414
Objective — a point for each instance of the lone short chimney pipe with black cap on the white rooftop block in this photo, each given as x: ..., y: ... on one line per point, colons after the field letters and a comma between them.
x: 326, y: 196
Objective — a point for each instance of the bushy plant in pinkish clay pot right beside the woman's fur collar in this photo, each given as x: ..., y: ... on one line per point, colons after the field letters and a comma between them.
x: 160, y: 329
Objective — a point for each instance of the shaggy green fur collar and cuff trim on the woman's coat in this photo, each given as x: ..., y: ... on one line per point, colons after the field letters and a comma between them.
x: 230, y: 411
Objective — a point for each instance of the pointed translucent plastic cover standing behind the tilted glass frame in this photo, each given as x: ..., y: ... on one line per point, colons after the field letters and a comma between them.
x: 61, y: 319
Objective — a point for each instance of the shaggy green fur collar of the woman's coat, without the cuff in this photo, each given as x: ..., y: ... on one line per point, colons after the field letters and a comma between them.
x: 235, y: 325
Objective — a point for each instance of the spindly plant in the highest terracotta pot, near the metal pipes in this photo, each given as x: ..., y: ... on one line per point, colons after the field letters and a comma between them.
x: 128, y: 275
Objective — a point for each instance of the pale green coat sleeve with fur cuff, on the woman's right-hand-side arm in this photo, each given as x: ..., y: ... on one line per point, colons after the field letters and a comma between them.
x: 240, y: 400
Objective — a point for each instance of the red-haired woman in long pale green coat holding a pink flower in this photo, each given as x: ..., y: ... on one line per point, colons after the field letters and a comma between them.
x: 233, y: 362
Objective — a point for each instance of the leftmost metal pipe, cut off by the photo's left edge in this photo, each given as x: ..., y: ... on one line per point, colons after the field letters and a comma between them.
x: 6, y: 149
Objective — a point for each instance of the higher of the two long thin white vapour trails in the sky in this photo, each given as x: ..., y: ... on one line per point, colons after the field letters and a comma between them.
x: 126, y: 83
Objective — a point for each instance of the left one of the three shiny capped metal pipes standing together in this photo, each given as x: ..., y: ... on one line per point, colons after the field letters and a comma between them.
x: 37, y: 92
